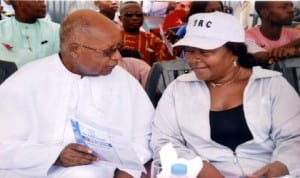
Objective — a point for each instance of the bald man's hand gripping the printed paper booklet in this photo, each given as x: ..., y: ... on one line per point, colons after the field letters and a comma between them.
x: 75, y: 155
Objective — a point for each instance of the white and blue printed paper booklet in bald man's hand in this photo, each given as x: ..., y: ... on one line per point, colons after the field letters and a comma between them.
x: 105, y: 144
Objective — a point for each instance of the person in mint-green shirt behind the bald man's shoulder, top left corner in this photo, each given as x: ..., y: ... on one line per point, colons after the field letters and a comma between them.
x: 25, y: 37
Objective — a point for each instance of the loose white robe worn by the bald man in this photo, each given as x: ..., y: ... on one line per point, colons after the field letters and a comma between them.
x: 37, y: 103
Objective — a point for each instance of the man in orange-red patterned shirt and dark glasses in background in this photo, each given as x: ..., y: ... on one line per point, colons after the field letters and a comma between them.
x: 149, y: 45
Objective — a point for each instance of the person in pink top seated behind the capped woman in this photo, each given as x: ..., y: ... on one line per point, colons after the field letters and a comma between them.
x: 272, y: 41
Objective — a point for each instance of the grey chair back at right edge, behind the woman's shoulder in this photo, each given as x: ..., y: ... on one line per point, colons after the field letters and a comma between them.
x: 291, y: 71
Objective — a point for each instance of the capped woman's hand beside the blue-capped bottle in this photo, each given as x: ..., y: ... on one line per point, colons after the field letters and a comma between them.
x: 209, y: 171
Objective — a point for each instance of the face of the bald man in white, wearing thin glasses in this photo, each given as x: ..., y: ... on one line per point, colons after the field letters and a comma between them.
x: 96, y: 54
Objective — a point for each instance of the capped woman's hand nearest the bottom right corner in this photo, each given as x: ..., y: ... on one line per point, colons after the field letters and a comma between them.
x: 276, y: 169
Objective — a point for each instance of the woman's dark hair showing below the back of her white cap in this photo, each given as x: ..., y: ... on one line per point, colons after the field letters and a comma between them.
x: 245, y: 59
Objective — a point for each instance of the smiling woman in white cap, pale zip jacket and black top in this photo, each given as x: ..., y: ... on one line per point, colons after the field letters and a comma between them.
x: 243, y: 120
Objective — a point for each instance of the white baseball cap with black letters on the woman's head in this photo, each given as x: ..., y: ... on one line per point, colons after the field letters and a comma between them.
x: 212, y: 30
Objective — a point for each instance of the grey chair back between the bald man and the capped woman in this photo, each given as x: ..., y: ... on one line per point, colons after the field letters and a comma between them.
x: 161, y: 75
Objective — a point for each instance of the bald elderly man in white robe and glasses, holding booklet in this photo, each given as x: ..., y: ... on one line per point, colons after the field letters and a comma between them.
x: 83, y: 84
